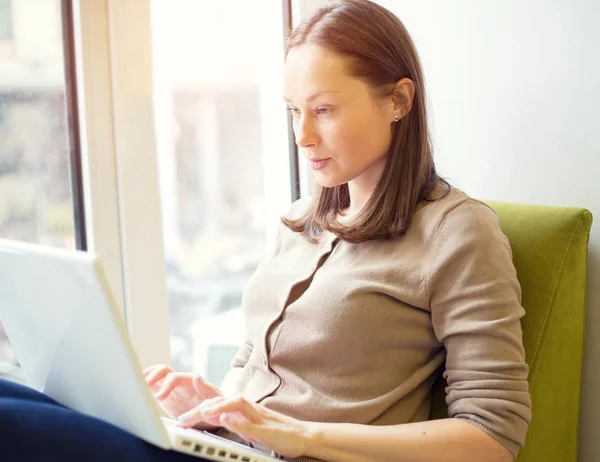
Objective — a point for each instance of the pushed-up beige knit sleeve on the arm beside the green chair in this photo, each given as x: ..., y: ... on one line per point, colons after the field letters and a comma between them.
x: 475, y: 302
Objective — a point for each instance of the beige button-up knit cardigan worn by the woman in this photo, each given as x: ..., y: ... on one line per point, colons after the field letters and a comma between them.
x: 341, y: 332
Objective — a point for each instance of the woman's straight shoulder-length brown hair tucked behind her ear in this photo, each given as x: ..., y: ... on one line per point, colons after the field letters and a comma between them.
x: 380, y: 52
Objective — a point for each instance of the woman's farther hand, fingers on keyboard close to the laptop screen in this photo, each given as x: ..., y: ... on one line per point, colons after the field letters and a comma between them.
x: 180, y: 392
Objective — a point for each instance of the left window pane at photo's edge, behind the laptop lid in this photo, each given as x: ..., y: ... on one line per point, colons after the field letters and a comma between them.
x: 36, y: 203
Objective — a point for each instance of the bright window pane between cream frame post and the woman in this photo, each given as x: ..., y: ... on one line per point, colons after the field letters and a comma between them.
x: 223, y: 162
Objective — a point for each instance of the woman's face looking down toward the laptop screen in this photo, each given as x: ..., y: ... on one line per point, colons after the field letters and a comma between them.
x: 339, y: 126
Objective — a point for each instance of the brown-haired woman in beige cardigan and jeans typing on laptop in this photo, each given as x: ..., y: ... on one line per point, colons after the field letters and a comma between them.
x: 385, y: 276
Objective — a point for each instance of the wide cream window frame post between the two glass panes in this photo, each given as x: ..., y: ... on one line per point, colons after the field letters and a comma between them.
x: 122, y: 199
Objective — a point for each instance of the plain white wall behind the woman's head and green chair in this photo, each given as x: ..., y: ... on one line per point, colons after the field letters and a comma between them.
x: 514, y: 88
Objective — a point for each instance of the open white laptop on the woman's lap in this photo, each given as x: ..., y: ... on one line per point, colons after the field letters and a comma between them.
x: 67, y: 333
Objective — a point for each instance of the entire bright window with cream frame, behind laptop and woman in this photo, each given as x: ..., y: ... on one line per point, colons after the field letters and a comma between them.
x: 183, y: 110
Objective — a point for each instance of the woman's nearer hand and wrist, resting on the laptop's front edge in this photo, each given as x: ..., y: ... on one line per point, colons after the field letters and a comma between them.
x: 255, y: 423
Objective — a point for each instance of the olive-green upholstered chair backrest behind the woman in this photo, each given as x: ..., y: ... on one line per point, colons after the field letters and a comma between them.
x: 550, y: 254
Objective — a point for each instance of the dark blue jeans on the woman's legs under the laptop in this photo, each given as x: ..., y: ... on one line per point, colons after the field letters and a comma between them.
x: 35, y: 428
